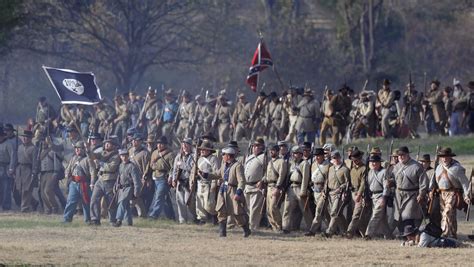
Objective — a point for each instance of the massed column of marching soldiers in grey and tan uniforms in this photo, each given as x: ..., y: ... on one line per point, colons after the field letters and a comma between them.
x: 283, y: 185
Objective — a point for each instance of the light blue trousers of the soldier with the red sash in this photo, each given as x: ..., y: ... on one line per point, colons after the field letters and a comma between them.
x: 75, y: 194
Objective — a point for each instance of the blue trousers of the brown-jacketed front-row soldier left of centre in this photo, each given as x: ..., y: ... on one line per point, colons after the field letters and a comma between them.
x: 161, y: 200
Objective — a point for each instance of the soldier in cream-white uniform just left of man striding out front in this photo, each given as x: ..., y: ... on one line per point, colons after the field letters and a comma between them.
x: 208, y: 166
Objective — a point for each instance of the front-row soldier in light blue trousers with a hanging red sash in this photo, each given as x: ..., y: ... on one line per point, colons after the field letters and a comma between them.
x: 78, y: 174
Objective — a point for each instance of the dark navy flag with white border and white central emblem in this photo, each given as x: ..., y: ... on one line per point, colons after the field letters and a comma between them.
x: 74, y: 87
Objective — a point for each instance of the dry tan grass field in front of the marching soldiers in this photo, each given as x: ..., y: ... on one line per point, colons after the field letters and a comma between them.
x: 39, y: 239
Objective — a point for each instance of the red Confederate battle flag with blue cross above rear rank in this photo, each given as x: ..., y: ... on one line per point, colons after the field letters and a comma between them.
x: 260, y: 61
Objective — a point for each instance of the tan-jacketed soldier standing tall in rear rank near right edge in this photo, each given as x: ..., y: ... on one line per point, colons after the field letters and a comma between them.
x: 435, y: 99
